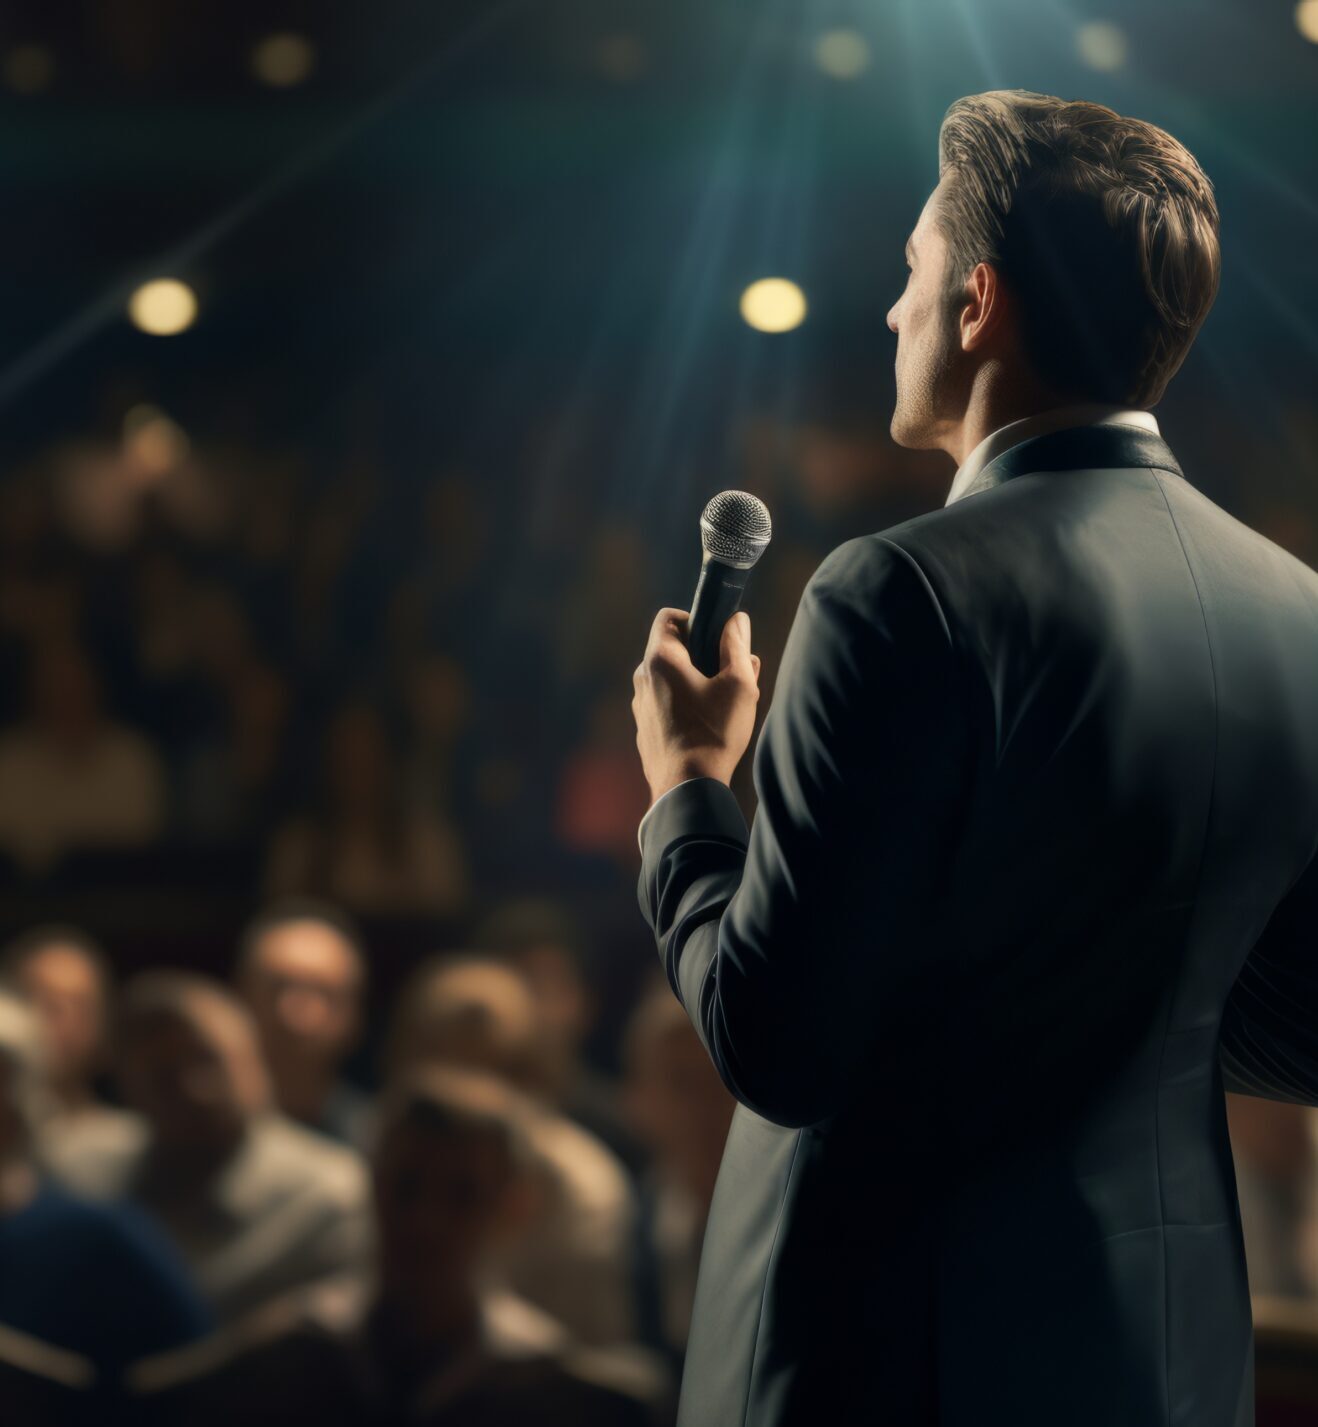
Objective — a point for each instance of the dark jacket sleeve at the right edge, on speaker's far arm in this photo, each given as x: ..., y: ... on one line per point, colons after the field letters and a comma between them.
x: 1270, y: 1034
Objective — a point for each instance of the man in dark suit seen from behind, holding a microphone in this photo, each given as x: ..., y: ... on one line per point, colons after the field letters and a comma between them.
x: 1033, y: 868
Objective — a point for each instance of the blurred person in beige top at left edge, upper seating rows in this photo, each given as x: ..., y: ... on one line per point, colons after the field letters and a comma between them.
x: 69, y: 777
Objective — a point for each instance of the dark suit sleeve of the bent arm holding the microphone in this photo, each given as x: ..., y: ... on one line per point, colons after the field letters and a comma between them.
x: 794, y: 947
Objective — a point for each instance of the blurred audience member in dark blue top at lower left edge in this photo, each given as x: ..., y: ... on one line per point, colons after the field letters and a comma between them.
x: 92, y: 1279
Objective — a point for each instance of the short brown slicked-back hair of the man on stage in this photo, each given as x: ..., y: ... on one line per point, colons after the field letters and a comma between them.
x: 1105, y: 228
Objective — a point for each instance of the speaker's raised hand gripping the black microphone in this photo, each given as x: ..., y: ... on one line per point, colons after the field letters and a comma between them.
x: 688, y: 726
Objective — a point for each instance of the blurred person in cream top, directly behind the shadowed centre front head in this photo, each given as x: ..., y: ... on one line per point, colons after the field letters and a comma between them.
x: 477, y: 1014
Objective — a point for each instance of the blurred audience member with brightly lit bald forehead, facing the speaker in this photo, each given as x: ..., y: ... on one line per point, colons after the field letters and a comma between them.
x: 303, y: 975
